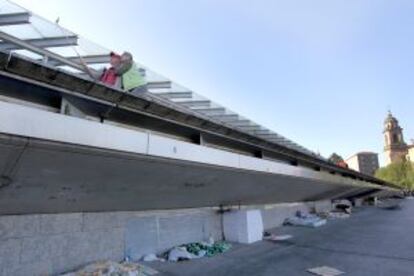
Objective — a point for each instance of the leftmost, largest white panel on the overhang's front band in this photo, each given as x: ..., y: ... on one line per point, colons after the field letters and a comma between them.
x: 31, y: 122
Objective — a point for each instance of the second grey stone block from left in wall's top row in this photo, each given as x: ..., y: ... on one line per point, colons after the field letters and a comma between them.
x: 60, y: 223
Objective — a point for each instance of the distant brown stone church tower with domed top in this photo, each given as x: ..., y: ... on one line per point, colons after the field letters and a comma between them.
x: 395, y: 149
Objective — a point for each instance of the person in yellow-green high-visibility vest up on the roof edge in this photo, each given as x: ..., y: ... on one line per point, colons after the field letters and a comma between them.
x: 131, y: 78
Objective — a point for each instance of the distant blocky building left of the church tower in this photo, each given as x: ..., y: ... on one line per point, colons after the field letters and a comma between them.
x: 364, y: 162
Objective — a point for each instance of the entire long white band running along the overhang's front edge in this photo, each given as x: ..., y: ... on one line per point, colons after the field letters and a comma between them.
x: 32, y: 122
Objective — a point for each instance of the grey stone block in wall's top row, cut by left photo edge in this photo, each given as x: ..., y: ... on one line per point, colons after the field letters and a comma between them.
x: 18, y: 226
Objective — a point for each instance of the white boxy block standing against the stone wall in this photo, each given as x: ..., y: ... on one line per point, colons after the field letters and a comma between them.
x: 243, y: 226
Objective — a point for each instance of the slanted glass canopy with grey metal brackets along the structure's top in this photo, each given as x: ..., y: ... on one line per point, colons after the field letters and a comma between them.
x: 187, y: 100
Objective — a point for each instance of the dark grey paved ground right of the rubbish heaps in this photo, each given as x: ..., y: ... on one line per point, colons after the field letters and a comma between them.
x: 372, y: 242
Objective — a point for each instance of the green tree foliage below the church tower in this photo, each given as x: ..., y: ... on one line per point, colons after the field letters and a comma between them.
x: 400, y: 173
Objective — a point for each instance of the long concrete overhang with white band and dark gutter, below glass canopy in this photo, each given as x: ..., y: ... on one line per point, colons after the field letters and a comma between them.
x: 69, y: 144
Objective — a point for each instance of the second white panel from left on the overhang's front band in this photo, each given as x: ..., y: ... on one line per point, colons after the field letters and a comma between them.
x: 171, y: 148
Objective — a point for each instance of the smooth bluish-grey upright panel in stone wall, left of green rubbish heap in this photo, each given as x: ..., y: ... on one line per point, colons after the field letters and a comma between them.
x: 141, y: 237
